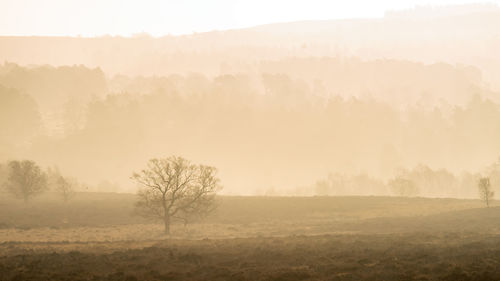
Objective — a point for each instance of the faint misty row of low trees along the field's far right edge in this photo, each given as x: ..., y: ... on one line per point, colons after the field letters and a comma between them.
x: 418, y: 181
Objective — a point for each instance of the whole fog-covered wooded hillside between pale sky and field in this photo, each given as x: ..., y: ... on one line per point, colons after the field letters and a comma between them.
x: 279, y: 109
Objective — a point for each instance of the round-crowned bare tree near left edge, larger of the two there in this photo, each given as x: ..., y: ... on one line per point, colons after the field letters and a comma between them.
x: 25, y: 179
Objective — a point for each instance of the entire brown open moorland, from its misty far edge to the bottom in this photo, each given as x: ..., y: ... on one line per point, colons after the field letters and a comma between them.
x: 96, y: 237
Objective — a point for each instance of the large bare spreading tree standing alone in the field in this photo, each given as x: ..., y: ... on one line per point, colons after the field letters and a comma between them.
x: 174, y: 189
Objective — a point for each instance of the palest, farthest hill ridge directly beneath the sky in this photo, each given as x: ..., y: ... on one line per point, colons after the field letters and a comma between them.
x: 462, y: 34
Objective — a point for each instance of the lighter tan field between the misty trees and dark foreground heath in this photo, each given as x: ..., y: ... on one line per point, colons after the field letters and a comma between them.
x: 109, y: 217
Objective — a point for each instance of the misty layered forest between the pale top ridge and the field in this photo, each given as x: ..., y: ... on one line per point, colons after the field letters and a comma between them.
x: 284, y: 129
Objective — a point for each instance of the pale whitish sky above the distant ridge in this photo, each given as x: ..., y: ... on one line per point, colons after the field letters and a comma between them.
x: 157, y: 17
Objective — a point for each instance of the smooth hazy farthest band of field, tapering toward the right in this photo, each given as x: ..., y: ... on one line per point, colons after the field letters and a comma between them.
x: 111, y: 209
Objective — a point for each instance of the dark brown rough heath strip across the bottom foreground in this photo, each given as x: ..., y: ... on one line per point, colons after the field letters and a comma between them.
x: 326, y: 257
